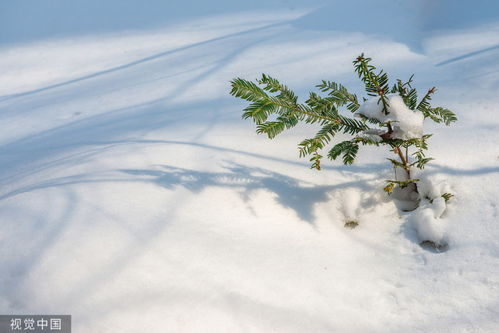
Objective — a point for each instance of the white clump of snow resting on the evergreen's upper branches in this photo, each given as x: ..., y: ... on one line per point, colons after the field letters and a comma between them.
x: 406, y: 123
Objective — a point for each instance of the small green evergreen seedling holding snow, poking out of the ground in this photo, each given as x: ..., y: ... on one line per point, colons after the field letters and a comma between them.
x: 390, y: 116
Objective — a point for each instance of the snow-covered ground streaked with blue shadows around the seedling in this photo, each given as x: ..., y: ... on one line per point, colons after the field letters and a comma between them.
x: 133, y: 196
